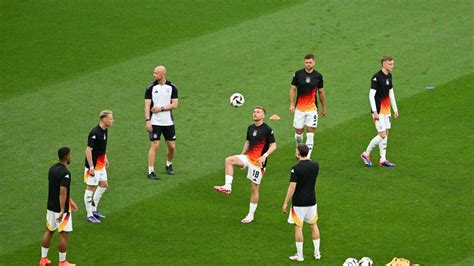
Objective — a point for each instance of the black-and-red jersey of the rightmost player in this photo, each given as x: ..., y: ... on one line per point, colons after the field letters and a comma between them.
x: 382, y: 84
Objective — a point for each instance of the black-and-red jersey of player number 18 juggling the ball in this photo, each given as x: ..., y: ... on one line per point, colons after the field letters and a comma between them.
x: 259, y: 138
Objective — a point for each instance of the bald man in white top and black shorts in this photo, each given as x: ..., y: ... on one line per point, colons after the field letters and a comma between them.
x: 161, y: 97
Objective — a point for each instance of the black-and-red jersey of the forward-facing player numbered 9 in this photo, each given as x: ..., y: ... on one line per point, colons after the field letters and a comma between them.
x: 307, y: 84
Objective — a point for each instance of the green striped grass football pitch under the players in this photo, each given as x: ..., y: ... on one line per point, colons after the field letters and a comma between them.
x: 62, y: 63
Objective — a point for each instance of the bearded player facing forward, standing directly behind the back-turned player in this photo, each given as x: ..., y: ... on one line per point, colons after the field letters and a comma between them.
x: 305, y: 83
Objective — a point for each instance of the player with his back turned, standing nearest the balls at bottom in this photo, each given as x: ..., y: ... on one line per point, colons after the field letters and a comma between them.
x: 303, y: 197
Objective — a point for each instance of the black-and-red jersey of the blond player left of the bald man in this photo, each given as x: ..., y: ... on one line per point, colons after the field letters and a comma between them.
x: 97, y: 140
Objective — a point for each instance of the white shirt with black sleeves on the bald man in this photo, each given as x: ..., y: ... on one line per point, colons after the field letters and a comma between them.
x: 161, y: 95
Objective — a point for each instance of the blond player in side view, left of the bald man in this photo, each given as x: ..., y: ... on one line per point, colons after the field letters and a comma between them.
x: 96, y: 164
